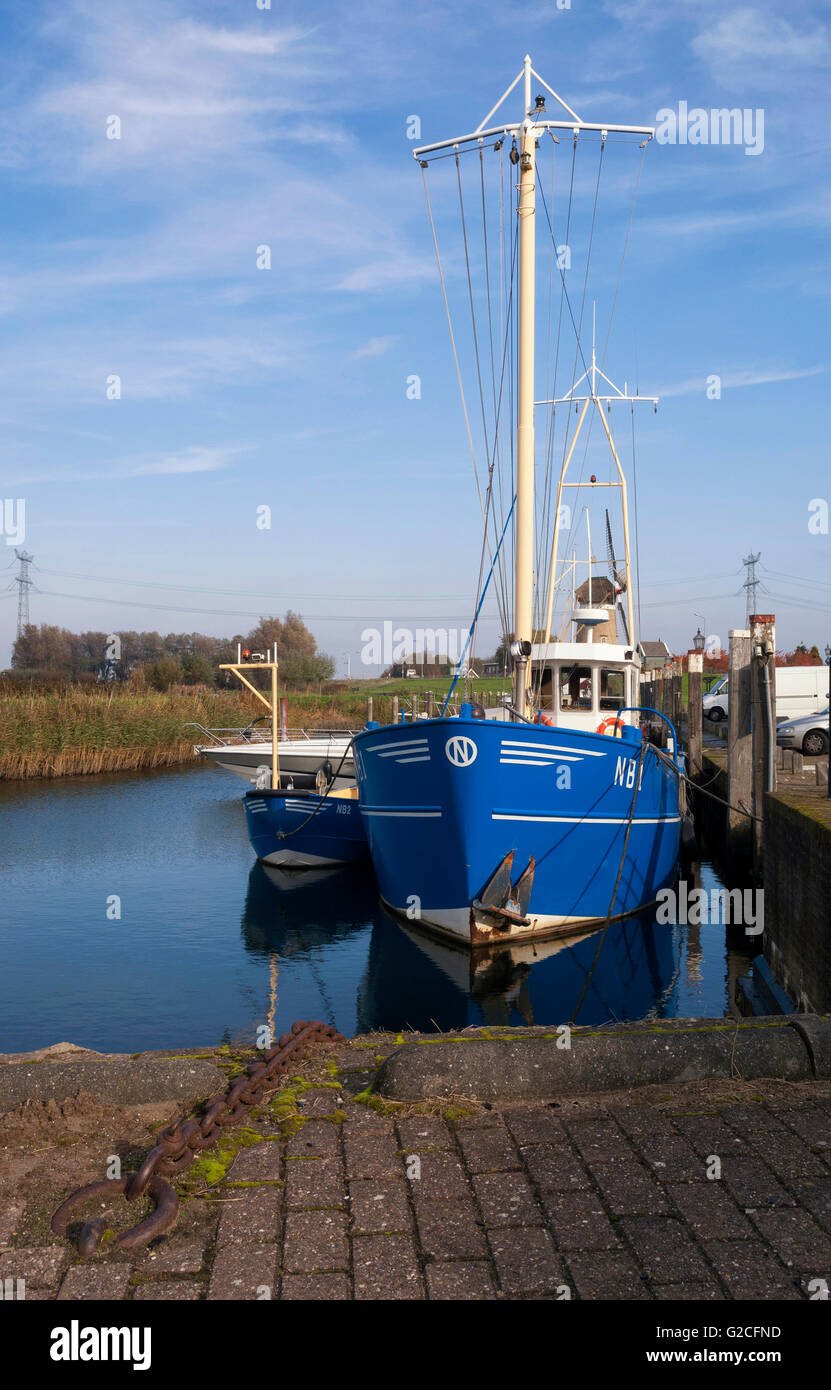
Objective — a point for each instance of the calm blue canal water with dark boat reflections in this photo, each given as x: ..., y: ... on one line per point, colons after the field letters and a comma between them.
x: 134, y: 917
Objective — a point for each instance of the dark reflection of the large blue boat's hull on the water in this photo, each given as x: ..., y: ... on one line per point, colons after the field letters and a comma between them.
x: 426, y: 983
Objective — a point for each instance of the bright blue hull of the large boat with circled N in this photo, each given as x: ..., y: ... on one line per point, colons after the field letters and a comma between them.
x: 445, y: 803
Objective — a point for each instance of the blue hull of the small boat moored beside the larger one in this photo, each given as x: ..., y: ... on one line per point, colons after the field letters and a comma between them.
x: 306, y: 831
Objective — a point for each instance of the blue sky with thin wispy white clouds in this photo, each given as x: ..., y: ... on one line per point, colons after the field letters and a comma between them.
x: 245, y: 127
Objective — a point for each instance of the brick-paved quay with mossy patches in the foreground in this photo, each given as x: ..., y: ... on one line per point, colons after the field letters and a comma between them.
x: 326, y: 1197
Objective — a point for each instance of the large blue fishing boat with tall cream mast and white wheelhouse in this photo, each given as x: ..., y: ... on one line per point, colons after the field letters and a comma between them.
x: 552, y: 814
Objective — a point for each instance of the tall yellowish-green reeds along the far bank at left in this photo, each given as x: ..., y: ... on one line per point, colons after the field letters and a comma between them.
x: 79, y: 730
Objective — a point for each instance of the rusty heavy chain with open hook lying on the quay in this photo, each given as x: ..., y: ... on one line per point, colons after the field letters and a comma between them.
x: 181, y: 1142
